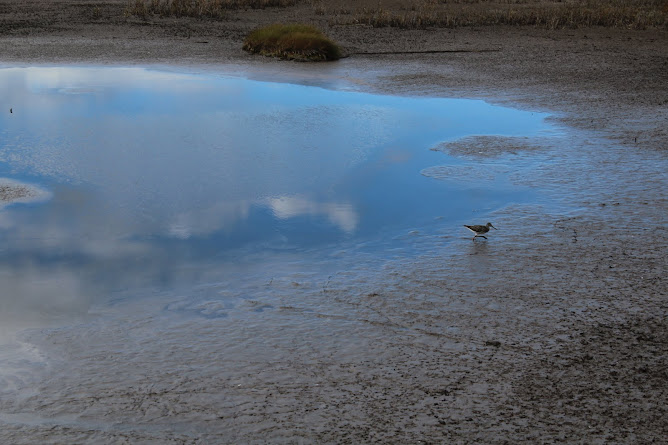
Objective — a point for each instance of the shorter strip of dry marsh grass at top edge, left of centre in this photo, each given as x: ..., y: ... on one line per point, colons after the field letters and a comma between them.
x: 197, y: 8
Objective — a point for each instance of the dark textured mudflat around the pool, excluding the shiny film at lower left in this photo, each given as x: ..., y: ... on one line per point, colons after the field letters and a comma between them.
x: 554, y: 331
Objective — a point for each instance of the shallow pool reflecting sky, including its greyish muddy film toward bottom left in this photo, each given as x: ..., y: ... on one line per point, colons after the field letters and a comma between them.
x: 148, y: 211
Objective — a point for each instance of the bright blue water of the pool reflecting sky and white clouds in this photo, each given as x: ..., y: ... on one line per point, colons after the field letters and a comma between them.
x: 151, y: 172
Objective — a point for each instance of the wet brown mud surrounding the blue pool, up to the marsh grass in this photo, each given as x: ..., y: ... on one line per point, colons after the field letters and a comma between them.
x: 553, y: 330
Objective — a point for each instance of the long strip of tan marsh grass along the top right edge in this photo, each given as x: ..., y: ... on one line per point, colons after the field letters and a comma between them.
x: 550, y: 14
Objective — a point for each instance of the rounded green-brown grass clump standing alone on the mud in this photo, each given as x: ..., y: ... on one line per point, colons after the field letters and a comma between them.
x: 292, y: 42
